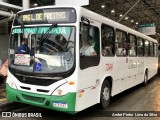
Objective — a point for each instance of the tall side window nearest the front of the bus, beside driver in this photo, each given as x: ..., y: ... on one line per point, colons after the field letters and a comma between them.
x: 89, y: 46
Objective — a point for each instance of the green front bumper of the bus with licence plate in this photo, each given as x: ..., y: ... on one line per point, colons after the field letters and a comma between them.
x: 64, y: 103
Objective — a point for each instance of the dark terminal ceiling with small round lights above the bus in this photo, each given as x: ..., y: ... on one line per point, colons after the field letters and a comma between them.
x: 146, y: 11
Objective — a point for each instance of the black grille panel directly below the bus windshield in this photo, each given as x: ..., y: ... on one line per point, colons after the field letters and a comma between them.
x: 35, y: 81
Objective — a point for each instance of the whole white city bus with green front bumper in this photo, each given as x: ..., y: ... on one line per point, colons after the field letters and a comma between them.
x: 77, y: 58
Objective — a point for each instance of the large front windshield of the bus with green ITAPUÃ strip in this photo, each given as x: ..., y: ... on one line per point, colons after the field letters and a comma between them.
x: 42, y: 49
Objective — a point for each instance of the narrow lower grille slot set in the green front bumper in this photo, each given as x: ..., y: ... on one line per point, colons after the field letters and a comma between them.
x: 35, y: 99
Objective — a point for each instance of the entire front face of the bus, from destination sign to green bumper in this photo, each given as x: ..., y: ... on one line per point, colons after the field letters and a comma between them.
x: 41, y: 68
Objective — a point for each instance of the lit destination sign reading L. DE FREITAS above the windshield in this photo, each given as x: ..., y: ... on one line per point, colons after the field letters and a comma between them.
x: 40, y: 16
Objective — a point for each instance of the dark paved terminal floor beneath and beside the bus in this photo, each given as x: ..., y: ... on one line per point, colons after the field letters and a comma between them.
x: 139, y: 98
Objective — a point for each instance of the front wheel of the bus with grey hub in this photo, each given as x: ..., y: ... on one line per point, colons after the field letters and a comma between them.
x: 105, y: 94
